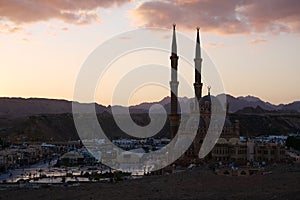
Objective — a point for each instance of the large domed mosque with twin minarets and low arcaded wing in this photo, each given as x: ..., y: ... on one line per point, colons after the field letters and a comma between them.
x: 228, y: 148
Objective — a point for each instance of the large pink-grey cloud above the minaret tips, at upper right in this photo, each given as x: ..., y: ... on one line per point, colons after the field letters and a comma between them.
x: 222, y: 17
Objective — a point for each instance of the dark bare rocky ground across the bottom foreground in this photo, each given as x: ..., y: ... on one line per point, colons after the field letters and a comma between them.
x: 283, y: 183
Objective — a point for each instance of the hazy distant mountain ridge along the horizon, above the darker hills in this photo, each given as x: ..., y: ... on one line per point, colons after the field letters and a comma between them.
x: 20, y: 107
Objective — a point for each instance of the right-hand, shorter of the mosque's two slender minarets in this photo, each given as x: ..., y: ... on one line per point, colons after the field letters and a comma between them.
x: 198, y: 63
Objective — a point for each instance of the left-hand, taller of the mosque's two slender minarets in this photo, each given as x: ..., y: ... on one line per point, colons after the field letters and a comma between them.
x: 174, y: 117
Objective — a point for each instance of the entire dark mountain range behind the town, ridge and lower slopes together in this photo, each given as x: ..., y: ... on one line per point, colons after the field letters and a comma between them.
x: 50, y: 119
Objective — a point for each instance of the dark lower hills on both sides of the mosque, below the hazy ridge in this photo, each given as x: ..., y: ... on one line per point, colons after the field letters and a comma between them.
x: 60, y: 127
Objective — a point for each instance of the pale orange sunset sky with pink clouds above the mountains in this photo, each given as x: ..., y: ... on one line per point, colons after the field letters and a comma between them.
x: 254, y: 44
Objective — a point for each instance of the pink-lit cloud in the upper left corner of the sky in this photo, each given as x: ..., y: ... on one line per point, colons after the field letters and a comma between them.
x: 74, y: 12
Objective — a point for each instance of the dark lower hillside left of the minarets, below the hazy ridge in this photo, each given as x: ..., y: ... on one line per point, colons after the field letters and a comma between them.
x: 60, y: 127
